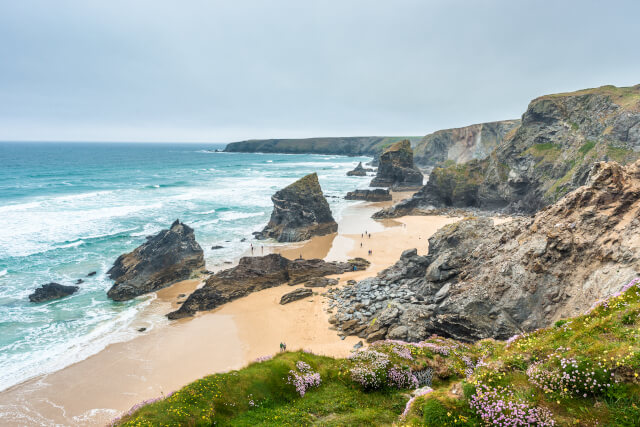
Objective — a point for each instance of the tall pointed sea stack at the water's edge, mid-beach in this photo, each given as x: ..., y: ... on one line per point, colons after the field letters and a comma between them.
x: 300, y: 212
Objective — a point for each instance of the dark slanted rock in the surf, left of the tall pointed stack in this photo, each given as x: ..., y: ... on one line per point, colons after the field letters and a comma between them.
x: 170, y: 256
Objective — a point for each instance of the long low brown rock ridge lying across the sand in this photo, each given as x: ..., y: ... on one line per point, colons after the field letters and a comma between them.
x: 256, y: 273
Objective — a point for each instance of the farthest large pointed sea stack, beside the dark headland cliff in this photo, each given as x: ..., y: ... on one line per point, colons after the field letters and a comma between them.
x: 396, y: 168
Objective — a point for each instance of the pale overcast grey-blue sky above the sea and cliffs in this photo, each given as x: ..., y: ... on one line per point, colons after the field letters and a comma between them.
x: 221, y: 71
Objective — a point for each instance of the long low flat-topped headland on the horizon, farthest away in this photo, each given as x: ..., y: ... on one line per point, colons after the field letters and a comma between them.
x: 347, y: 146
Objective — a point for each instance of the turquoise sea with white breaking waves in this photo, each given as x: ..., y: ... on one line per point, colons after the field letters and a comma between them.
x: 68, y: 209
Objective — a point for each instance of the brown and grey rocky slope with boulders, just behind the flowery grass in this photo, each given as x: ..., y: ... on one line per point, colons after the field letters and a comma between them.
x: 481, y: 280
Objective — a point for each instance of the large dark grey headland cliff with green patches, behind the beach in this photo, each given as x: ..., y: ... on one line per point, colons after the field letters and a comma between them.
x: 544, y: 158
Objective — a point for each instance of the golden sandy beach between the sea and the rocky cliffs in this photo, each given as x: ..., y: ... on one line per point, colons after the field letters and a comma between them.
x: 172, y: 354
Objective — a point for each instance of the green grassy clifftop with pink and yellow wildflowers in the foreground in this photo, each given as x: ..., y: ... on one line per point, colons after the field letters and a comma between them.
x: 603, y: 343
